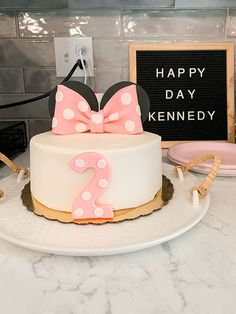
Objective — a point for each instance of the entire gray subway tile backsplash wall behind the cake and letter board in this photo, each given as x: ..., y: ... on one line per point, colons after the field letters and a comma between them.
x: 27, y: 28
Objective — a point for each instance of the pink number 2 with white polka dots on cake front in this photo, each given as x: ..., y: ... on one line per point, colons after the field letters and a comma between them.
x: 84, y: 205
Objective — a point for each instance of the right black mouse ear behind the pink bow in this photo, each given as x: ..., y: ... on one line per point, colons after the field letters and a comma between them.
x: 143, y: 98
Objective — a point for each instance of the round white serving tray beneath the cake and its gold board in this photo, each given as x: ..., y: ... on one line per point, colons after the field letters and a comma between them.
x: 23, y: 228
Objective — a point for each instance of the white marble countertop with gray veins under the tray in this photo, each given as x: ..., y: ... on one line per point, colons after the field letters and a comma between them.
x: 193, y: 274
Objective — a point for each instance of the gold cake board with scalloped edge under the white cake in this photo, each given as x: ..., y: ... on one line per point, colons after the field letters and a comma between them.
x: 161, y: 198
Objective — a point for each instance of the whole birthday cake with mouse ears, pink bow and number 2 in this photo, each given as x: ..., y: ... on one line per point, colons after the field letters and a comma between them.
x: 96, y: 161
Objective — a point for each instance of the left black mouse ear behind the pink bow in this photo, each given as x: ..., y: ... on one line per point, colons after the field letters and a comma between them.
x: 79, y: 87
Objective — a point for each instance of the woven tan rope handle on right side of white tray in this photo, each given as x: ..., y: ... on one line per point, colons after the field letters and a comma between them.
x: 202, y: 188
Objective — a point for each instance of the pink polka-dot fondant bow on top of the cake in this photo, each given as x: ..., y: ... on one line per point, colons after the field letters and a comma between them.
x: 120, y: 115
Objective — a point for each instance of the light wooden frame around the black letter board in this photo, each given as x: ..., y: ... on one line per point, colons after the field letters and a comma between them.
x: 228, y: 47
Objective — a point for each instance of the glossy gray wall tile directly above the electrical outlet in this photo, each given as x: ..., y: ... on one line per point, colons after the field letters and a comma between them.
x: 69, y: 23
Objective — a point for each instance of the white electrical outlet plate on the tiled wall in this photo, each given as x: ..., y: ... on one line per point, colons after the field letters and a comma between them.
x: 66, y: 53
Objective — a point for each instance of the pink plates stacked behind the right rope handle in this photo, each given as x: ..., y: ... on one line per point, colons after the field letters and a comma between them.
x: 182, y: 153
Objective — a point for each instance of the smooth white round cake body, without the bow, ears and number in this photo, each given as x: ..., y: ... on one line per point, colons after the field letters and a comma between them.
x: 135, y: 162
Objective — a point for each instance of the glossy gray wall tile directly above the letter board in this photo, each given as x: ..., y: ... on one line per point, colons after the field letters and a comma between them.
x: 174, y: 23
